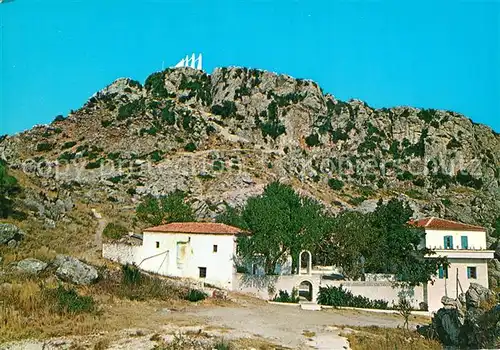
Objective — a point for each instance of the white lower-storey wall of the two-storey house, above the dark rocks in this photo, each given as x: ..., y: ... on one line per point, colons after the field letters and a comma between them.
x: 448, y: 287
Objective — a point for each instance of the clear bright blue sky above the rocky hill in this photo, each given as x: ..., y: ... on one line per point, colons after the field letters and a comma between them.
x: 439, y: 54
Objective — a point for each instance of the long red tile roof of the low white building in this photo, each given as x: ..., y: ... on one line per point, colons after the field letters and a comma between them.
x: 210, y: 228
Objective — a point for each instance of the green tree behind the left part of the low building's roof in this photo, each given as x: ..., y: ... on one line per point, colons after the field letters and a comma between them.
x: 164, y: 209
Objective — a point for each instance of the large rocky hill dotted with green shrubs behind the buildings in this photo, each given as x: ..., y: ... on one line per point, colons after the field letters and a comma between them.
x: 222, y: 137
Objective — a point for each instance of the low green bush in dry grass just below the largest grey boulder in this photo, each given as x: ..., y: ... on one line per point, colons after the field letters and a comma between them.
x: 68, y: 301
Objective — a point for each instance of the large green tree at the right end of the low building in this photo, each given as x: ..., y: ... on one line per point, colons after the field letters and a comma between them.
x: 281, y: 221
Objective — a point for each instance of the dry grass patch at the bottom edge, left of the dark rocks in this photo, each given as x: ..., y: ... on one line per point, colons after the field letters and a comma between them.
x: 376, y: 338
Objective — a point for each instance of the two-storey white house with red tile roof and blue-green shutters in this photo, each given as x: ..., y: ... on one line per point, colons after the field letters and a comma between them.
x: 465, y: 247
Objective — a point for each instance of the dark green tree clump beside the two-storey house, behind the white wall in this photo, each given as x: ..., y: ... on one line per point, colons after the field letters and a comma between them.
x: 379, y: 242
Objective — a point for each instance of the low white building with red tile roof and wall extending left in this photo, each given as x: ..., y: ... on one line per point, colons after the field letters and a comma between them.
x: 198, y: 250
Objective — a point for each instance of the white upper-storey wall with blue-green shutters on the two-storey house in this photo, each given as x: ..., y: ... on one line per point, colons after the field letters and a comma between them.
x: 435, y: 239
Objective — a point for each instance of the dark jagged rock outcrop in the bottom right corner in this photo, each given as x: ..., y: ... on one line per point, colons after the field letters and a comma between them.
x: 473, y: 324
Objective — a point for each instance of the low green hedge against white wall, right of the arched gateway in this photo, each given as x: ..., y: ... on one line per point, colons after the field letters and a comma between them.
x: 337, y: 296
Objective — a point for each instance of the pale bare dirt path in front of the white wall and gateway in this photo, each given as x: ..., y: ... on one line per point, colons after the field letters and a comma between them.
x: 293, y: 327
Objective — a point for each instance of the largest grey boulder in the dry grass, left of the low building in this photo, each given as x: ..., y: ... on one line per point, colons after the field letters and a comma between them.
x: 75, y: 271
